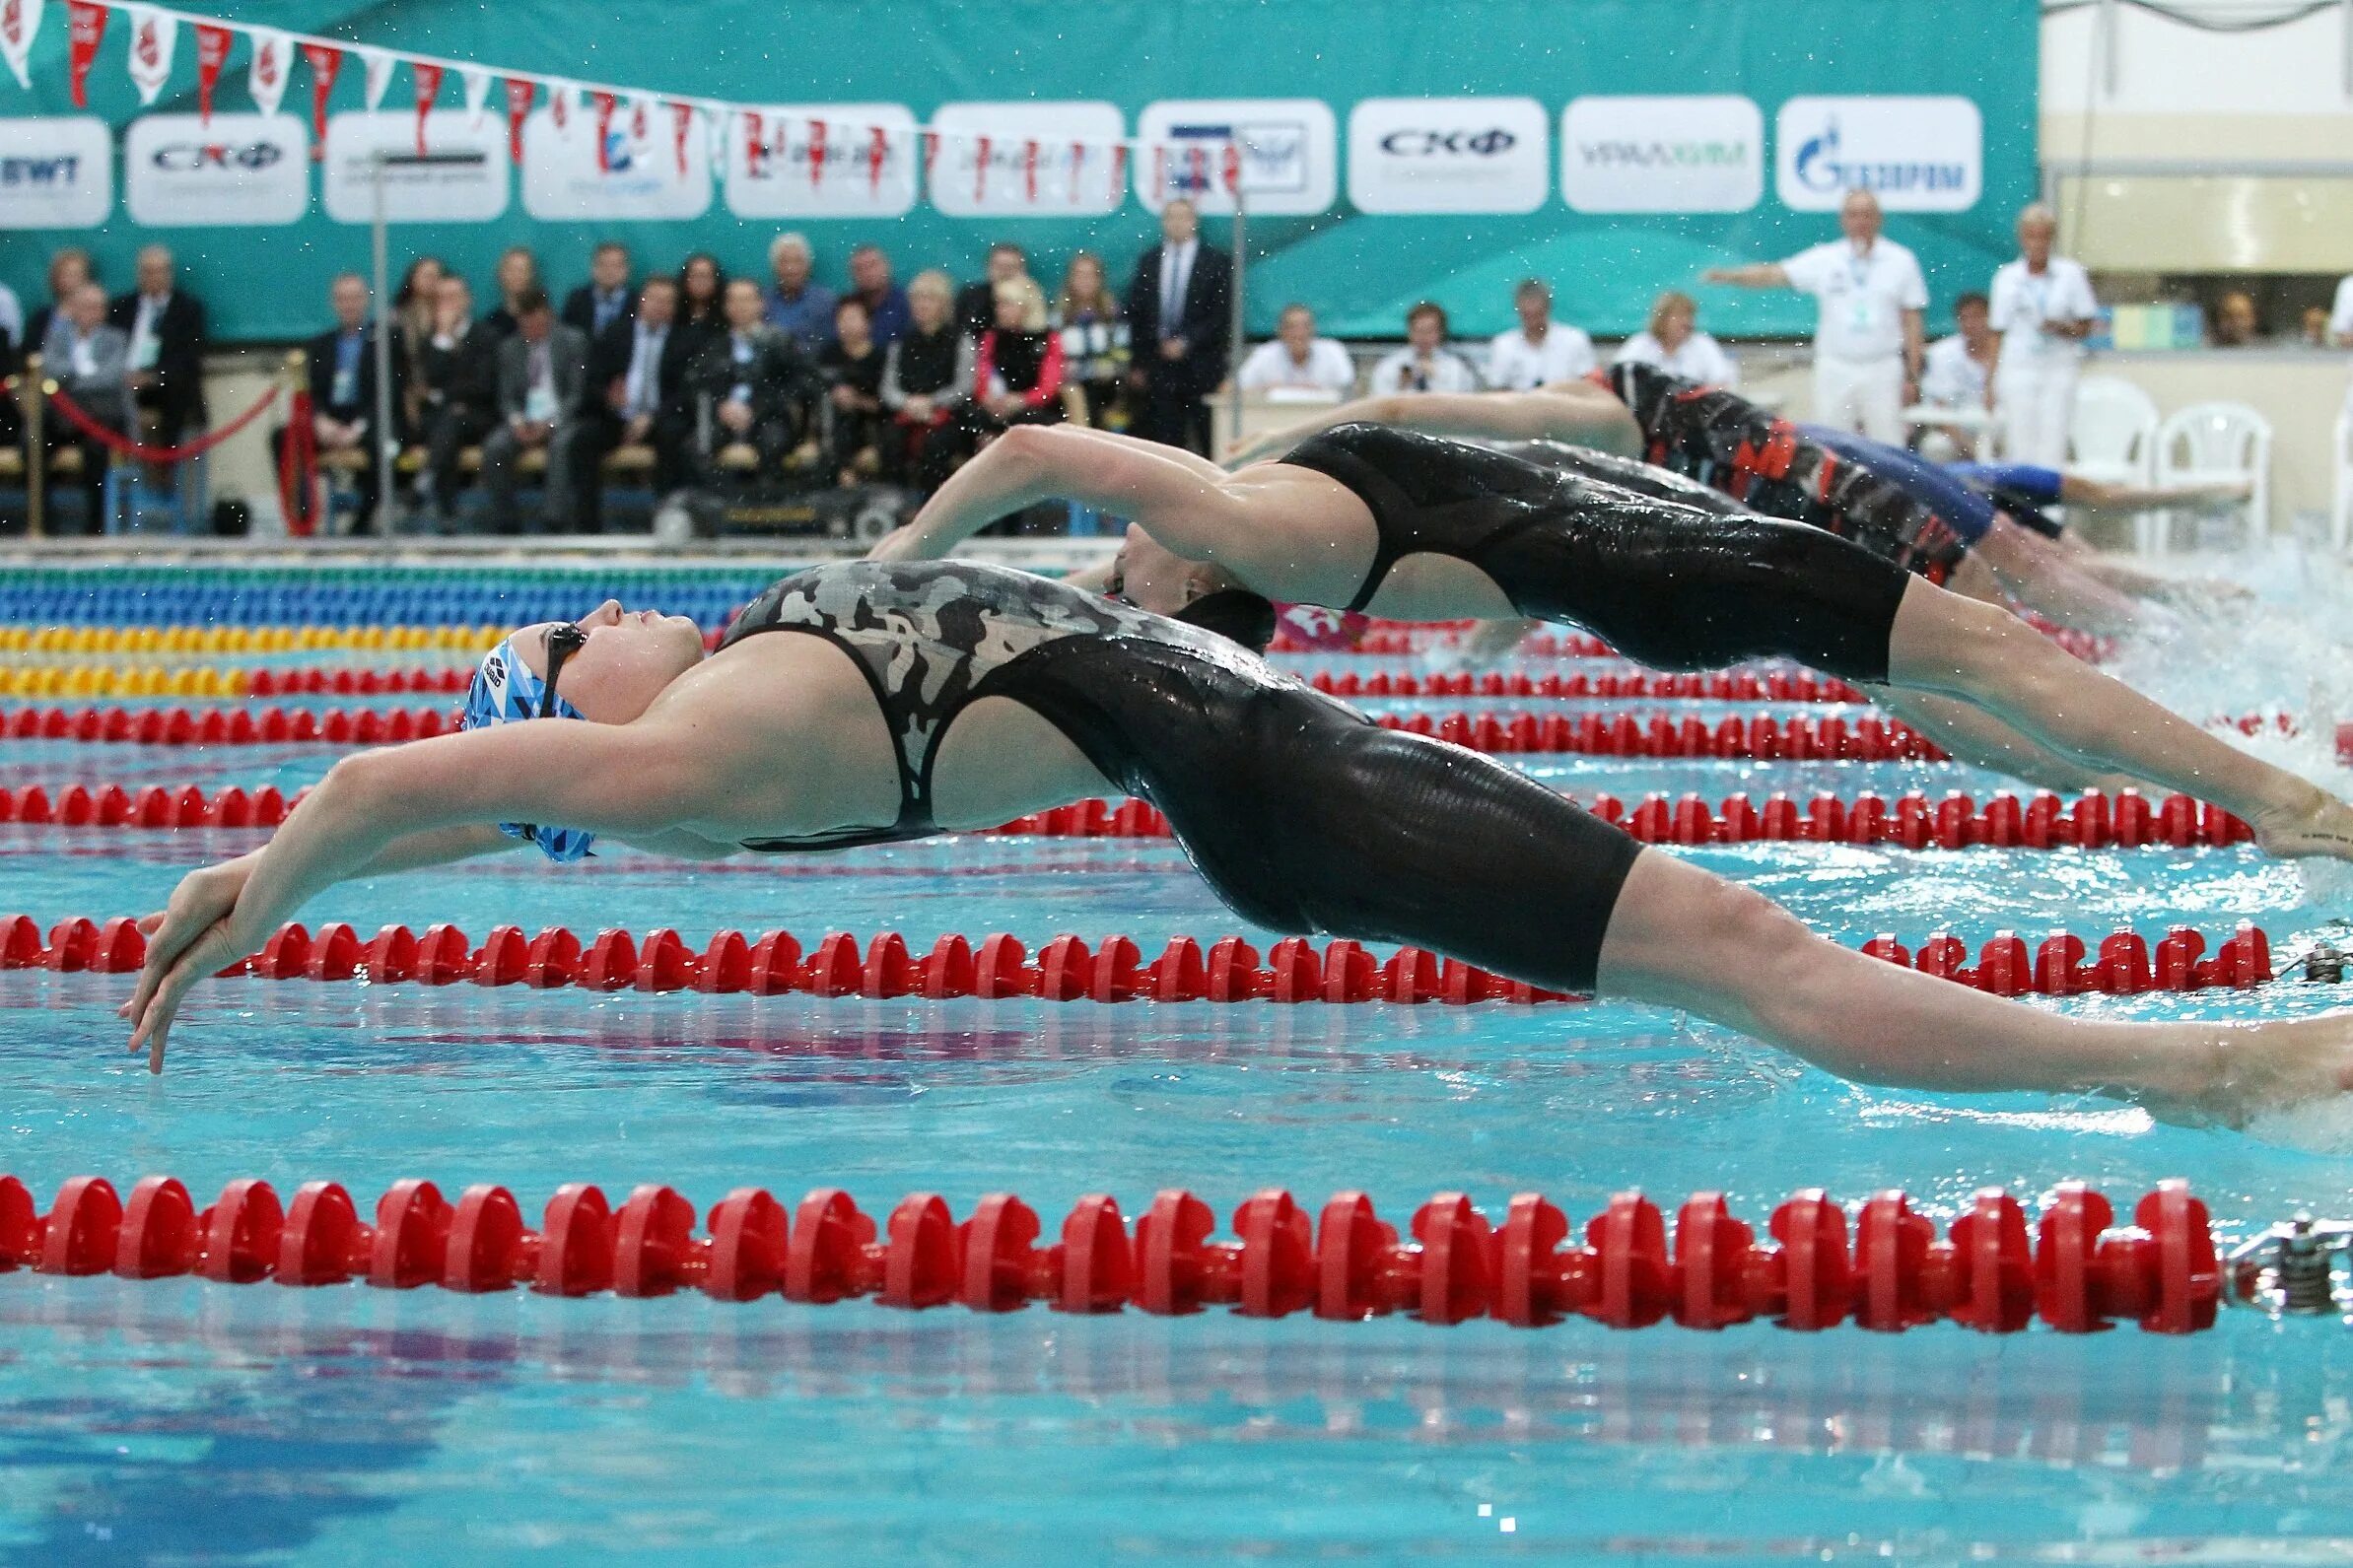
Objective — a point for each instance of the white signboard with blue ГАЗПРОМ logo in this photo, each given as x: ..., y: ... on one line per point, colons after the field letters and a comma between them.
x: 1917, y: 154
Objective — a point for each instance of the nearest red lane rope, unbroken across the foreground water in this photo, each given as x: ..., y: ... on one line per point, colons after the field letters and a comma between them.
x: 2077, y: 1271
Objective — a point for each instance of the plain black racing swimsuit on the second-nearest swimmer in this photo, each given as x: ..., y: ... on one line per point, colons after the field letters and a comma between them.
x: 1634, y: 561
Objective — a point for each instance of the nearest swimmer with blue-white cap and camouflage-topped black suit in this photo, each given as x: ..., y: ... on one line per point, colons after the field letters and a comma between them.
x: 865, y: 704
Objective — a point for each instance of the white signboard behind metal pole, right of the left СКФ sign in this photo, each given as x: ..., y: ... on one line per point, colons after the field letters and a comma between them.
x: 460, y: 177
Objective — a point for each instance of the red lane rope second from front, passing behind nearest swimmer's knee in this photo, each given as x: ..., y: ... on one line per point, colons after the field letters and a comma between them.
x: 1067, y: 970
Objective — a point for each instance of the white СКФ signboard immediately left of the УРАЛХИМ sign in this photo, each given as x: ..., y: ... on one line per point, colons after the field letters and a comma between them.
x: 1448, y: 156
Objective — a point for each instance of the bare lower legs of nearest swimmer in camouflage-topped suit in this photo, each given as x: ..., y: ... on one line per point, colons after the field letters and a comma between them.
x: 1681, y: 937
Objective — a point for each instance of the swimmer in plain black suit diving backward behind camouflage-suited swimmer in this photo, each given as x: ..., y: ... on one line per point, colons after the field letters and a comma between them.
x: 1415, y: 528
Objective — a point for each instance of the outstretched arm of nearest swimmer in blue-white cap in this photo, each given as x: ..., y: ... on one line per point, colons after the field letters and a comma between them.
x: 415, y: 805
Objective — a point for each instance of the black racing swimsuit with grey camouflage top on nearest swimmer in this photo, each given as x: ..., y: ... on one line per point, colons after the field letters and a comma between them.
x: 1295, y: 808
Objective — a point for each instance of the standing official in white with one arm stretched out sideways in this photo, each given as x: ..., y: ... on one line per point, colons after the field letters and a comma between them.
x: 1867, y: 342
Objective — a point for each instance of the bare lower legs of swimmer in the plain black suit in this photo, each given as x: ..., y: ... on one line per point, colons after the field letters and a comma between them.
x: 1997, y: 662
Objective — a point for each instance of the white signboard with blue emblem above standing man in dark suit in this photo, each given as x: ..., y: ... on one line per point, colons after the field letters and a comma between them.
x: 1288, y: 154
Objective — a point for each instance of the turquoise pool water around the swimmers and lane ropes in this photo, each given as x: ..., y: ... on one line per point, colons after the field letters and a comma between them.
x: 175, y: 1421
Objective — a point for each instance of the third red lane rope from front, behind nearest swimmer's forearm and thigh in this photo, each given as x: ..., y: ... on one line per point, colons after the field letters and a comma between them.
x: 1909, y: 822
